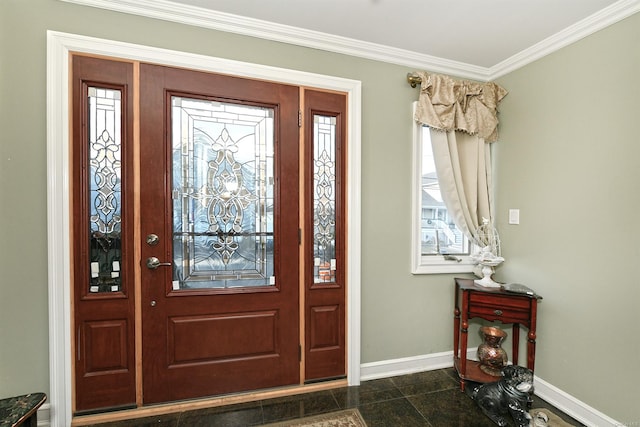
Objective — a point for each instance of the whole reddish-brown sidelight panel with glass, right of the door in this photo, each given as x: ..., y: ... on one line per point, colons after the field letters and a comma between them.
x: 325, y: 286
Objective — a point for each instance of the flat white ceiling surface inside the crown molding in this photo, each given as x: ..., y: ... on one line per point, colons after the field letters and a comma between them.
x: 476, y: 32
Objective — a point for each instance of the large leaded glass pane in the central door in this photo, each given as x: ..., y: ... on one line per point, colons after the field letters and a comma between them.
x: 223, y: 194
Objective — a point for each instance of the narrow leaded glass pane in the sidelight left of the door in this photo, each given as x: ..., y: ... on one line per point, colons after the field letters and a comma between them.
x: 105, y: 198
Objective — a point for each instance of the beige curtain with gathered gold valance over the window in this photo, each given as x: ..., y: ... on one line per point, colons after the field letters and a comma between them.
x: 463, y: 118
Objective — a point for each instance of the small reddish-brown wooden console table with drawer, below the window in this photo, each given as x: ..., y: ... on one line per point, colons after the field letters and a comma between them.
x: 492, y: 304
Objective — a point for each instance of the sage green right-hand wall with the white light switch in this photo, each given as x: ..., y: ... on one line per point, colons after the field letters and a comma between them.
x: 569, y: 158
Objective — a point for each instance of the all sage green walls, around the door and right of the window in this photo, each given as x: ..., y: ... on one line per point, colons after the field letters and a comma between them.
x: 574, y: 245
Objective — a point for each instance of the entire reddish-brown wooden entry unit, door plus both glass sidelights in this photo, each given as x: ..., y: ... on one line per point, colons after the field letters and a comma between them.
x: 189, y: 221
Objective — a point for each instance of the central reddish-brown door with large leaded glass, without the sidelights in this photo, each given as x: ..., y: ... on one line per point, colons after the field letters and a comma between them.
x: 219, y: 207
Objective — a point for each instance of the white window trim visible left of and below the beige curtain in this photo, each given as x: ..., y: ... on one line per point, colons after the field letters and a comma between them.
x: 431, y: 264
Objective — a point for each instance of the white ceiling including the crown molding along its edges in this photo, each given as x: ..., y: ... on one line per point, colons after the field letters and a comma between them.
x: 477, y: 38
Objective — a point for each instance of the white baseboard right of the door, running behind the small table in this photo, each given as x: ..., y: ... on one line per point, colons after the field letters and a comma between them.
x: 558, y: 398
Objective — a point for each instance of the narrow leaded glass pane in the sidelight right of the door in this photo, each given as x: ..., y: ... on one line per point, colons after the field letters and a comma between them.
x: 324, y: 198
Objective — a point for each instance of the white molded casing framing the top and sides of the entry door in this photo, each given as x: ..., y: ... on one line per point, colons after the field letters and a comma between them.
x: 59, y: 47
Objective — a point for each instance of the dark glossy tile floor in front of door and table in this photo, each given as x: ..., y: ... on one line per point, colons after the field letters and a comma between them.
x: 431, y: 399
